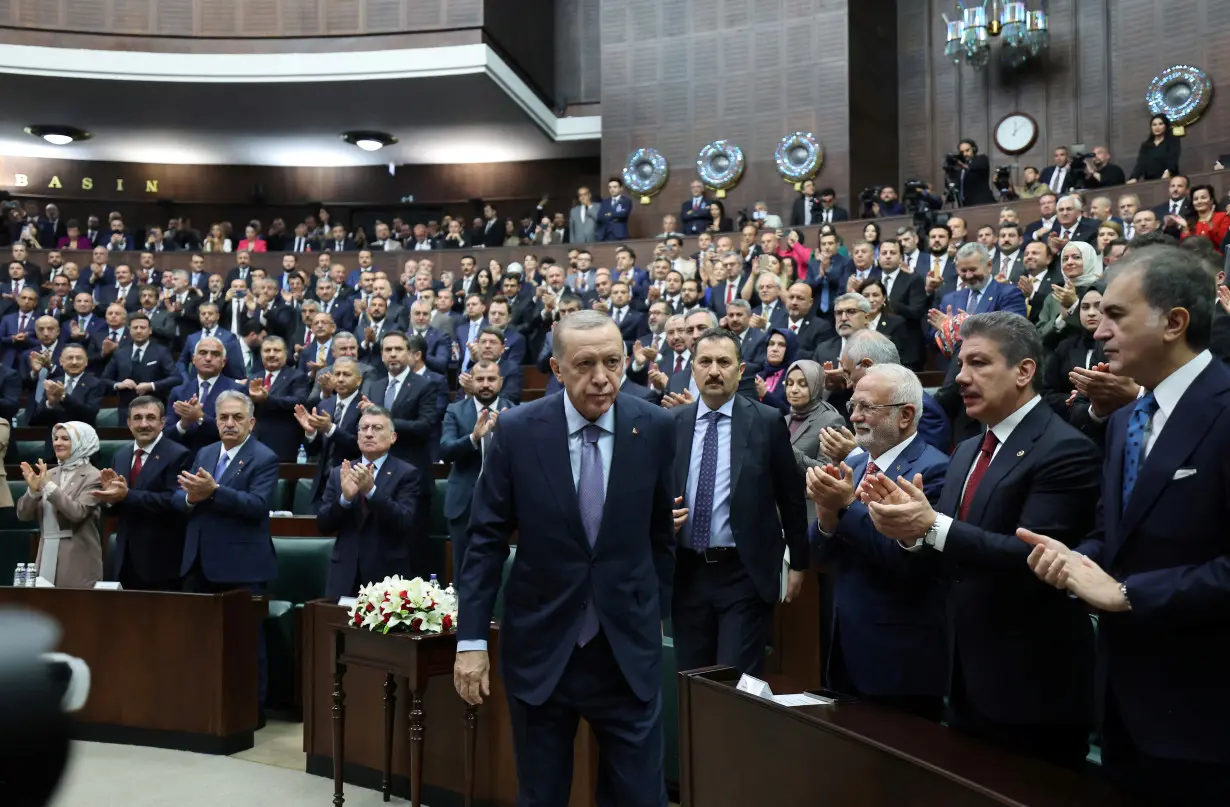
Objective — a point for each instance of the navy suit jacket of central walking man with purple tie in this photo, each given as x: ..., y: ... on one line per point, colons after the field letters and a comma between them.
x: 527, y: 487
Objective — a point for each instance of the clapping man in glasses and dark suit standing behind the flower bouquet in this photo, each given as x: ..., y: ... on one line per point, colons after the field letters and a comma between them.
x: 368, y: 505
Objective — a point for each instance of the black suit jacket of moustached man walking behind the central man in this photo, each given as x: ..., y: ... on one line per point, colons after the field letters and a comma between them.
x: 761, y: 458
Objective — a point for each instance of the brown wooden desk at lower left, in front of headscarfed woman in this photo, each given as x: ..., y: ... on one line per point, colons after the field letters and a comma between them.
x: 172, y: 671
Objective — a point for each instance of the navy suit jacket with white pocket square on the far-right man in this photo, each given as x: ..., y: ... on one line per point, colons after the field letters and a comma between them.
x: 1164, y: 661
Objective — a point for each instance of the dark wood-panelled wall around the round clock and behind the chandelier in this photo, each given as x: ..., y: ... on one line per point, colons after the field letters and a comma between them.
x: 1088, y: 90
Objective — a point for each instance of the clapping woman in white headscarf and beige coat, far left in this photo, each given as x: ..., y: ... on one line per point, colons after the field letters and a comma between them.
x: 62, y: 501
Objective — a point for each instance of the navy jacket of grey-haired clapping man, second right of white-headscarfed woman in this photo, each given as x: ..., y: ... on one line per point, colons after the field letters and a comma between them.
x: 231, y: 531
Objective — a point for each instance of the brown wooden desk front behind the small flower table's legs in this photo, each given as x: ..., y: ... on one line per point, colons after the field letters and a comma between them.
x: 495, y: 781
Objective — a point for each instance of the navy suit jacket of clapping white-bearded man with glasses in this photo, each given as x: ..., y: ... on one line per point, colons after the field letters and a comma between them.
x: 889, y: 605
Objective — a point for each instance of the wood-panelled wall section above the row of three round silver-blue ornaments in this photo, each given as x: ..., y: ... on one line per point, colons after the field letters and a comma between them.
x: 680, y: 74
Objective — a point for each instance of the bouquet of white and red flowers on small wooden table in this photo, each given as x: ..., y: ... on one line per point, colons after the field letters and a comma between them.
x: 398, y: 605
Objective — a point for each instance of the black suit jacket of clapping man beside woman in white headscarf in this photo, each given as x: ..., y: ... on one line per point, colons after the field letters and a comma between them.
x: 149, y: 532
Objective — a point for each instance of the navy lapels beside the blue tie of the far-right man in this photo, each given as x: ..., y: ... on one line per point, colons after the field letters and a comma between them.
x: 1184, y: 431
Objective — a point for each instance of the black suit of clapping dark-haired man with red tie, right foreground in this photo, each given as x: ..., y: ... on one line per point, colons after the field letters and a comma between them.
x: 1025, y: 650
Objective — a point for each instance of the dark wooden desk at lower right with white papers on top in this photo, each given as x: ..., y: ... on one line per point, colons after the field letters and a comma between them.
x: 855, y: 756
